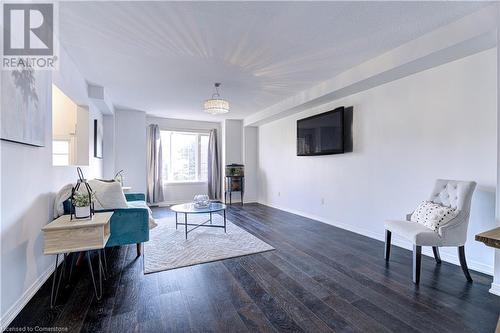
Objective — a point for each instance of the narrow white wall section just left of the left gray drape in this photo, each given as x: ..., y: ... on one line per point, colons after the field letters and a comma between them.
x: 130, y: 148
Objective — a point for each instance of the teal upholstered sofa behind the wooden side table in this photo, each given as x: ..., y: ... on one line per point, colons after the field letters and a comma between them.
x: 128, y: 225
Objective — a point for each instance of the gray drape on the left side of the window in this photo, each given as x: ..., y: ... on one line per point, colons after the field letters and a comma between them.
x: 154, y: 164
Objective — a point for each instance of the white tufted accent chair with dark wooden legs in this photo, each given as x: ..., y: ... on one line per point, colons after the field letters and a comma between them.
x: 451, y: 193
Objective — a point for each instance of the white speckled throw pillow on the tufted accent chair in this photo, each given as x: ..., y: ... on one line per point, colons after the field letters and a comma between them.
x: 433, y: 215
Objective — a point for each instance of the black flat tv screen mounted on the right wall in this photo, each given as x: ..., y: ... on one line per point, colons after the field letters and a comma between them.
x: 322, y: 134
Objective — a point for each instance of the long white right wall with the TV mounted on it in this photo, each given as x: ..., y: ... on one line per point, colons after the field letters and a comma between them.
x: 440, y: 123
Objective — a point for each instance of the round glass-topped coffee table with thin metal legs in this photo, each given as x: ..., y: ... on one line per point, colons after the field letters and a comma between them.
x: 190, y: 208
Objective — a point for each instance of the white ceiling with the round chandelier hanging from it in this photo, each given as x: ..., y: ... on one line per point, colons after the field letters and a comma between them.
x: 163, y: 57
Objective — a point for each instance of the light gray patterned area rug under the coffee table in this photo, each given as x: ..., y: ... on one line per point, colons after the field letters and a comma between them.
x: 168, y: 249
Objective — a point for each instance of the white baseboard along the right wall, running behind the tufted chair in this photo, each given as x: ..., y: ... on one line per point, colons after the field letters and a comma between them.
x: 453, y: 259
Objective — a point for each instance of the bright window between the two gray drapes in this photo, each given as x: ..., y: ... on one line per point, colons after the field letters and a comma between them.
x: 185, y: 156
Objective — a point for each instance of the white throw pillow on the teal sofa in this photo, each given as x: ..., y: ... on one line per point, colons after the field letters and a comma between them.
x: 108, y: 195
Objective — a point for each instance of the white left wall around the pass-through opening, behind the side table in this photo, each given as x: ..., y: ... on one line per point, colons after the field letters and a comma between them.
x: 28, y: 186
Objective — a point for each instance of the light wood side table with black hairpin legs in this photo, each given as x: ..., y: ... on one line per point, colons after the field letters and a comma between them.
x: 64, y: 236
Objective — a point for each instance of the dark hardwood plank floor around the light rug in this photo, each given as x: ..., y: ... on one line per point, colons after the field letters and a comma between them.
x: 319, y: 278
